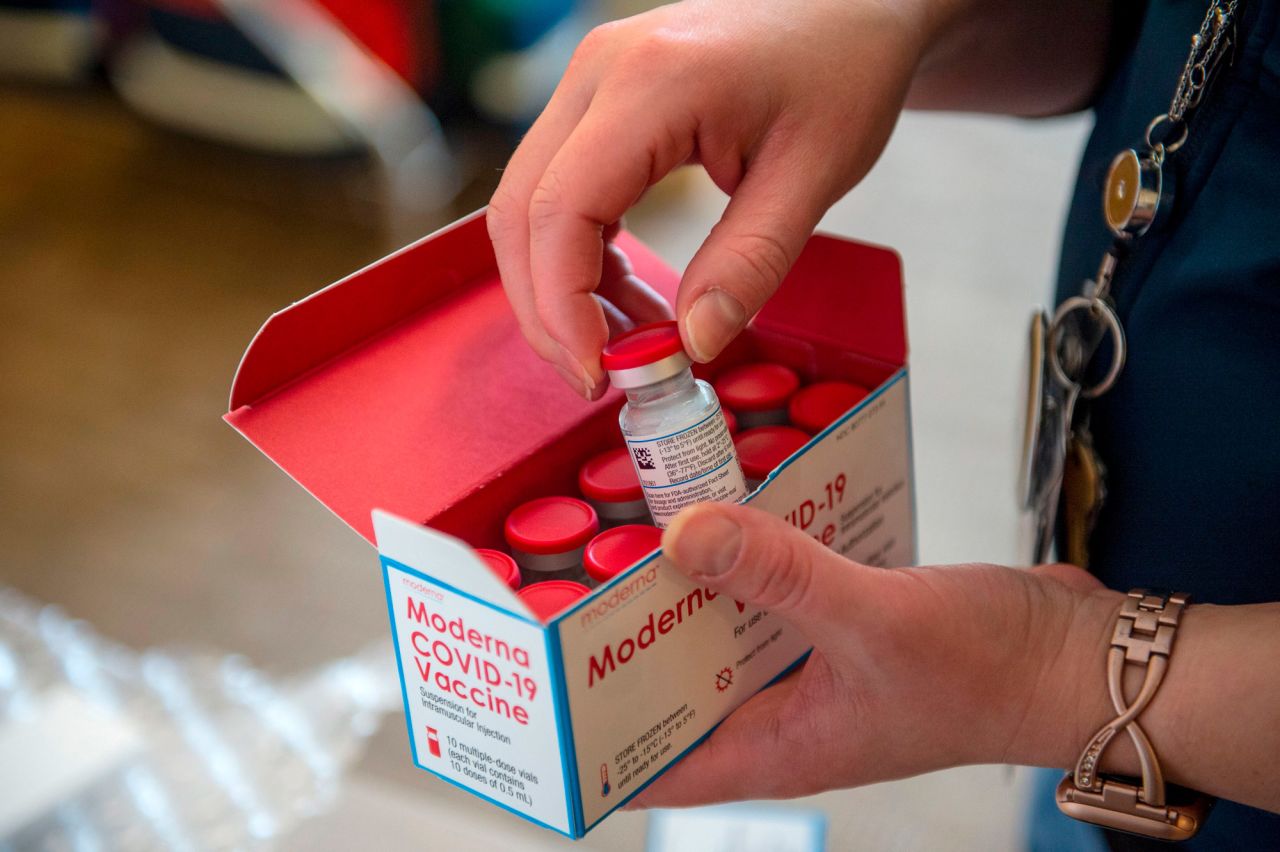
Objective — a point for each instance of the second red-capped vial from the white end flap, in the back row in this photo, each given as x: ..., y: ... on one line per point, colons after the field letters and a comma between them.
x: 547, y: 538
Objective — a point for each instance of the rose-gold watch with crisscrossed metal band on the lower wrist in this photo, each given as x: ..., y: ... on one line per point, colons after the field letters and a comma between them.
x: 1144, y: 638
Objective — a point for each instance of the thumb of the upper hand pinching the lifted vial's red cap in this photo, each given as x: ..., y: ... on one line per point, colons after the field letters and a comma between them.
x: 744, y: 260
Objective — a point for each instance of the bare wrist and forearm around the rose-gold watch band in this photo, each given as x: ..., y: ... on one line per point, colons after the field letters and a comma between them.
x: 1215, y: 722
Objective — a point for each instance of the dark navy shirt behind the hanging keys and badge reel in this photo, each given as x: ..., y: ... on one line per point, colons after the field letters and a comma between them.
x: 1191, y: 433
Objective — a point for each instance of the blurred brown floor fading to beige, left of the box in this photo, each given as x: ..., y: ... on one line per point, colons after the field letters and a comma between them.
x: 135, y: 267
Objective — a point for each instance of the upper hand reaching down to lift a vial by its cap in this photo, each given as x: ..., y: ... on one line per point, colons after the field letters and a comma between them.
x: 785, y: 104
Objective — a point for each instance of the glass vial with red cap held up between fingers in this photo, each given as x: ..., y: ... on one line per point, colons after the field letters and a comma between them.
x: 673, y: 423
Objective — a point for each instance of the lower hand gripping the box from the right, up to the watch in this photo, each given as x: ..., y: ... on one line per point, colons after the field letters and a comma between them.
x: 912, y: 670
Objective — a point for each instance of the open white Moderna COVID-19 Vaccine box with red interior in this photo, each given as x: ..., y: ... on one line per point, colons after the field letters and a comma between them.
x: 404, y: 396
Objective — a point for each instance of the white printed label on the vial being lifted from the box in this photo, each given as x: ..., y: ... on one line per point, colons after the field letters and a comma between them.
x: 696, y: 465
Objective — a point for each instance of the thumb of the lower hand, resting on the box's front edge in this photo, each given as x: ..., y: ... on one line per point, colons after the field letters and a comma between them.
x: 761, y: 560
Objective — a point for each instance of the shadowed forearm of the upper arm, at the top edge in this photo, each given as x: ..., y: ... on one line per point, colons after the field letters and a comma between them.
x: 1011, y: 56
